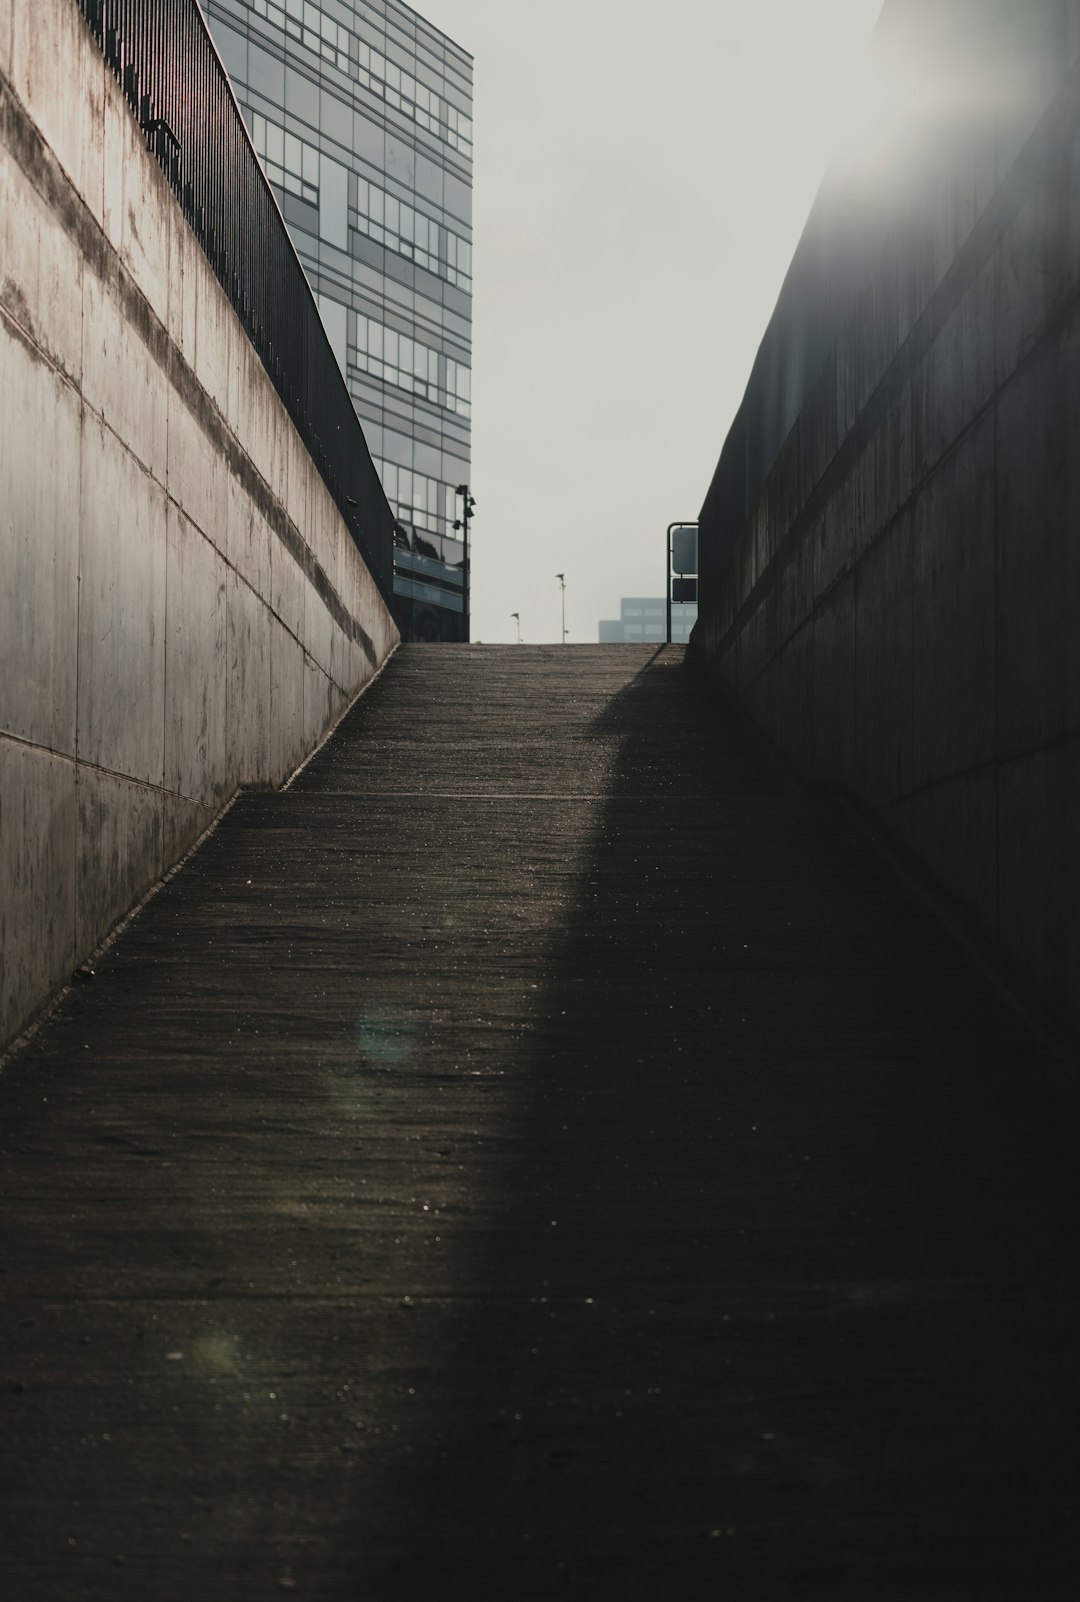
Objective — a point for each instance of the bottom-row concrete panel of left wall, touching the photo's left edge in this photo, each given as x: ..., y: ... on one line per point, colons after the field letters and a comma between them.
x: 38, y: 879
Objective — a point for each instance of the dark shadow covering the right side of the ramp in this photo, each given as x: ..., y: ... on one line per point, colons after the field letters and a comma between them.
x: 781, y: 1300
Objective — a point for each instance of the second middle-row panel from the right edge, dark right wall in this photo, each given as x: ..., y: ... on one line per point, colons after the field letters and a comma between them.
x: 954, y: 608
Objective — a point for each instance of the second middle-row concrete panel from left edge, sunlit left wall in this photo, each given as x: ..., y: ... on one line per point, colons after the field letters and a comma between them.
x: 121, y: 611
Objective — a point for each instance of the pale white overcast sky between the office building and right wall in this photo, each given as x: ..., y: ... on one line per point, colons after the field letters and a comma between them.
x: 643, y: 174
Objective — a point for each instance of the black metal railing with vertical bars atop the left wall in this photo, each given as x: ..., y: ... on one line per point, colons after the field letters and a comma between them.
x: 180, y: 94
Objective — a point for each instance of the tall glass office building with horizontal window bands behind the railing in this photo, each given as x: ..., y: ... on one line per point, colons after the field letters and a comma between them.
x: 361, y: 115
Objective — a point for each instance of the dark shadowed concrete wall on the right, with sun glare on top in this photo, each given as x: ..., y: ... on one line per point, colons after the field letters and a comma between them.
x: 892, y: 541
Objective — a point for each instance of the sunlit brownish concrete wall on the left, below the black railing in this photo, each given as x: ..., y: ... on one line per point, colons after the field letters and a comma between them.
x: 182, y: 608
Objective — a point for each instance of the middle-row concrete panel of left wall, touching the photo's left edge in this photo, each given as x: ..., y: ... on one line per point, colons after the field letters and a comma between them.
x: 39, y: 547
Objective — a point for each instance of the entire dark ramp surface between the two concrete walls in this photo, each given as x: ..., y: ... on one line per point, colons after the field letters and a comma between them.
x: 539, y: 1154
